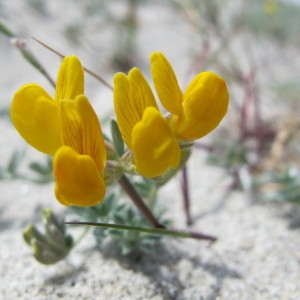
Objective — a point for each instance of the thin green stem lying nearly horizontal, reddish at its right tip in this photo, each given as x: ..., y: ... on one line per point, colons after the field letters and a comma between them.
x: 159, y: 231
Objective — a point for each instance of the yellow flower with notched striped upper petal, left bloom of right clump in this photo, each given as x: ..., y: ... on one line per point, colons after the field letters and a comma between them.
x: 143, y: 128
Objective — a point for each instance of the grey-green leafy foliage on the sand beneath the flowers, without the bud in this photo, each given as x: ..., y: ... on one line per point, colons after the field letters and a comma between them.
x: 113, y: 210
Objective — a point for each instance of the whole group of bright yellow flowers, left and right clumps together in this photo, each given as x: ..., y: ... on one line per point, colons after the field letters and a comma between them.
x: 67, y: 128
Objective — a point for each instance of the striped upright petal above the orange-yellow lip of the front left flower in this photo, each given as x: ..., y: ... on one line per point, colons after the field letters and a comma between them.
x: 81, y: 129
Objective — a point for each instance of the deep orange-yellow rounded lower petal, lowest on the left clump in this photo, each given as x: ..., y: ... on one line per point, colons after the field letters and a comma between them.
x: 78, y: 180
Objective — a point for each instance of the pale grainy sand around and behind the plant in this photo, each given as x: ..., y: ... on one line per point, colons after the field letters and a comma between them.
x: 257, y: 253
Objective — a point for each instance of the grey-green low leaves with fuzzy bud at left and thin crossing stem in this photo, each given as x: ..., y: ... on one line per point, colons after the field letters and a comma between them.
x: 113, y: 220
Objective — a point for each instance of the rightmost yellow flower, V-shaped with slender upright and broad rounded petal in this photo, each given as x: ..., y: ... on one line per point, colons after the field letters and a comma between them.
x: 199, y: 109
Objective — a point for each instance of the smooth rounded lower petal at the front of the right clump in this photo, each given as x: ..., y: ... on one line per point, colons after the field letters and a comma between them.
x: 154, y: 146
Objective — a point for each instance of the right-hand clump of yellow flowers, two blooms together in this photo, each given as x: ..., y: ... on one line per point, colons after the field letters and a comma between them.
x: 153, y: 138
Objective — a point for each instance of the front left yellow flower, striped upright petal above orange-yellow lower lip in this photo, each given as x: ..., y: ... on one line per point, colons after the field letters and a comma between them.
x: 79, y: 164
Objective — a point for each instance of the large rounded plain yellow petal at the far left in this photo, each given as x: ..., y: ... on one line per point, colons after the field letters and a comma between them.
x: 35, y: 116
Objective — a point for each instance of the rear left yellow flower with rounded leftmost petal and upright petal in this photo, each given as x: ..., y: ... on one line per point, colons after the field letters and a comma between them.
x: 35, y: 114
